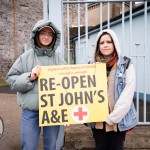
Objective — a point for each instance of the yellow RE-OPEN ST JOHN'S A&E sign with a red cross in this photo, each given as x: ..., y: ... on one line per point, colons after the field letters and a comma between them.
x: 72, y: 94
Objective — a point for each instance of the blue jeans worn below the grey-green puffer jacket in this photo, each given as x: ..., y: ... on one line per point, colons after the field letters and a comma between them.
x: 31, y: 132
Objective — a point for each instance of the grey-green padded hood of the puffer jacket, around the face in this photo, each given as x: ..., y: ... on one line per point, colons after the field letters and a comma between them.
x: 35, y: 42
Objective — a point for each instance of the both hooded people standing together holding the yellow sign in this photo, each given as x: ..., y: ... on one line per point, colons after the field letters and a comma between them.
x: 22, y: 77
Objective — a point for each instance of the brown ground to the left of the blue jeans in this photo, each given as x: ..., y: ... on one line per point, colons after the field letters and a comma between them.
x: 10, y: 113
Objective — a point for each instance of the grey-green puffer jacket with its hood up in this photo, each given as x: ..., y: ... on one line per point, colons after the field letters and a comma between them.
x: 19, y: 73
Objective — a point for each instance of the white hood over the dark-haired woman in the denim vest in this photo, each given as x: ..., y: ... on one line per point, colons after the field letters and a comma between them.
x: 114, y: 38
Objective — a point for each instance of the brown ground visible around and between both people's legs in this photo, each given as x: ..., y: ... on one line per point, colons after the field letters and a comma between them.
x: 77, y: 137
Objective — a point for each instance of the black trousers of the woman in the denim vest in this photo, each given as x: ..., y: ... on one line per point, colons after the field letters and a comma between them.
x: 108, y: 140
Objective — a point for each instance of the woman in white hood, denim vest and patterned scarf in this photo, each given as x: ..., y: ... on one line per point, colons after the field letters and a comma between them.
x: 110, y: 135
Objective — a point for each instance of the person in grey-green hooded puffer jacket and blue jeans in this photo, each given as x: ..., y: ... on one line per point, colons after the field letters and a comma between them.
x: 23, y: 78
